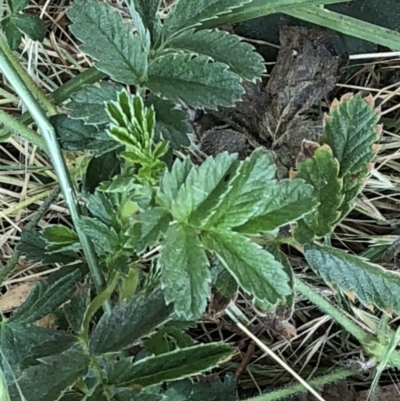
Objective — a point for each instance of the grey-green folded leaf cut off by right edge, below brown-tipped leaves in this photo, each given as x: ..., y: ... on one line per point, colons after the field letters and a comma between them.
x: 370, y: 283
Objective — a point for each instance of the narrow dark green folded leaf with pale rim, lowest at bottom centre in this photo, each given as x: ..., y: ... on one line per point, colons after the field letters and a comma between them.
x: 171, y: 365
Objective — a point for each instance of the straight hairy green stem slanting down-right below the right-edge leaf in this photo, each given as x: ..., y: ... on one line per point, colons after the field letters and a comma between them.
x: 333, y: 312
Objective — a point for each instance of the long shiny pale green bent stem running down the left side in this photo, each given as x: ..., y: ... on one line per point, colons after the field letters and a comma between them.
x: 58, y: 163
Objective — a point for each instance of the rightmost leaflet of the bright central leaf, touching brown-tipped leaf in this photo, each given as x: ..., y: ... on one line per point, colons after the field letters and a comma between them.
x: 284, y: 202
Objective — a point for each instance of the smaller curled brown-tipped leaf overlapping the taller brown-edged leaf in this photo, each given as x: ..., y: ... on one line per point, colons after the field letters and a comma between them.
x: 321, y: 171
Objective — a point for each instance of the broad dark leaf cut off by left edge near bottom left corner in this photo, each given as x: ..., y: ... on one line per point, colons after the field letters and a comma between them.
x: 22, y: 345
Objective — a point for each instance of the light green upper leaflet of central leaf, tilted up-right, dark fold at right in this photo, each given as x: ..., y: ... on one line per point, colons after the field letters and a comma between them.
x: 200, y: 183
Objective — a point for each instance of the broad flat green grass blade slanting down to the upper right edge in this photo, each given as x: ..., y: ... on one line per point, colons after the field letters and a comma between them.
x: 347, y: 25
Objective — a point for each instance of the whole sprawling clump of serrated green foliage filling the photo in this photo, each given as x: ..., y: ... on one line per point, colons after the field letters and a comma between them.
x: 143, y: 205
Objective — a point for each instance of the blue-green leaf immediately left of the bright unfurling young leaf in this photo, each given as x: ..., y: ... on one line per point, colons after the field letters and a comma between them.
x: 88, y: 103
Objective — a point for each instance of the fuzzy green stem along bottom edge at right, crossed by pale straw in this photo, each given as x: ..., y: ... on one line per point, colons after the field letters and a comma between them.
x: 337, y: 375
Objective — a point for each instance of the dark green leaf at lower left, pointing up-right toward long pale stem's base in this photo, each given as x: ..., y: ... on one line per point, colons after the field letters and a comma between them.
x: 45, y: 299
